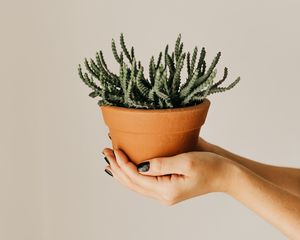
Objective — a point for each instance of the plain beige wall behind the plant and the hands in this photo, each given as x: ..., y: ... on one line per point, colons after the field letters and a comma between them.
x: 52, y: 184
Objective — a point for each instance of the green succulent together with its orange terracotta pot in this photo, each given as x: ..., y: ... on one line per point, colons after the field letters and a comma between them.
x: 157, y: 115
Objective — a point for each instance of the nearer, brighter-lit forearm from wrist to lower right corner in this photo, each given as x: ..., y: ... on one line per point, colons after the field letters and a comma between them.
x: 279, y: 207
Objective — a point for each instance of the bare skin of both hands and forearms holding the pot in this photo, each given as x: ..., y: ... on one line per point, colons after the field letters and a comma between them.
x: 270, y: 191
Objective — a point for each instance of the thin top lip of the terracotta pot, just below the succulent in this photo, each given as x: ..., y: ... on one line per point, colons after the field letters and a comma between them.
x: 139, y: 110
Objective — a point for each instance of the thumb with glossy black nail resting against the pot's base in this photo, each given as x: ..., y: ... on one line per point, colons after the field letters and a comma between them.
x: 164, y: 165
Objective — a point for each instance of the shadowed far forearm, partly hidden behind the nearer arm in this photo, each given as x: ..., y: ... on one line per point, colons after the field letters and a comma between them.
x: 287, y: 178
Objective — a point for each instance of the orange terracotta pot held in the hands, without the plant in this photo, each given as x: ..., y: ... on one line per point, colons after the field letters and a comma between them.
x: 147, y: 133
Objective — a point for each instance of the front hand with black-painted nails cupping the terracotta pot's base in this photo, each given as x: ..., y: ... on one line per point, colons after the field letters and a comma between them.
x: 169, y: 179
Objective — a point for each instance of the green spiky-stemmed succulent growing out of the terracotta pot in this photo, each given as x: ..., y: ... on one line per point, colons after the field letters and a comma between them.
x: 163, y: 89
